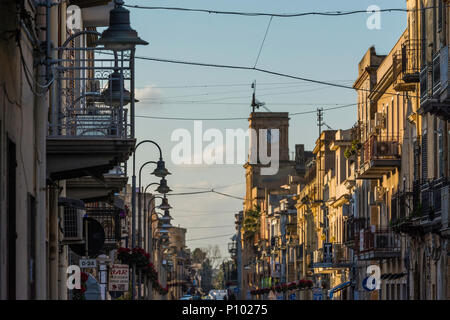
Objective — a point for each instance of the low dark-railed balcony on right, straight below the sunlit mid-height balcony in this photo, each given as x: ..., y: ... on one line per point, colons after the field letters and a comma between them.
x: 377, y: 244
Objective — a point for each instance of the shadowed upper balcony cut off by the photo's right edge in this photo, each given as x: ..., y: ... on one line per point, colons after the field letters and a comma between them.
x: 434, y: 88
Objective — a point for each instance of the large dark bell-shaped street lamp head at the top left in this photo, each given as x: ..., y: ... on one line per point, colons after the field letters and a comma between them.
x: 120, y: 36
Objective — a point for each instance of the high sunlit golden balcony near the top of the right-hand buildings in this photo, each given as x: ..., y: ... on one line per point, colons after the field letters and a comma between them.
x: 406, y: 66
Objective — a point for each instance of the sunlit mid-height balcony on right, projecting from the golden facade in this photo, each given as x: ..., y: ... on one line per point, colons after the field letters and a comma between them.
x: 381, y: 155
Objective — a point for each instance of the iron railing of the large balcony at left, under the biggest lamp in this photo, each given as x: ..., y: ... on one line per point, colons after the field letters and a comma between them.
x: 91, y: 93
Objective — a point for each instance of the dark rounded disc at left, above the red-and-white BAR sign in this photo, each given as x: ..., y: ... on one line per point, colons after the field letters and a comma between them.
x: 95, y: 237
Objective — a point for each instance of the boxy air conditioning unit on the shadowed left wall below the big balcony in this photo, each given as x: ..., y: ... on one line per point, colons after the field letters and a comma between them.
x: 73, y: 211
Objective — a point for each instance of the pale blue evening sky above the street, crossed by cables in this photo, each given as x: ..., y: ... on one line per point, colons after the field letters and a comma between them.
x: 315, y: 47
